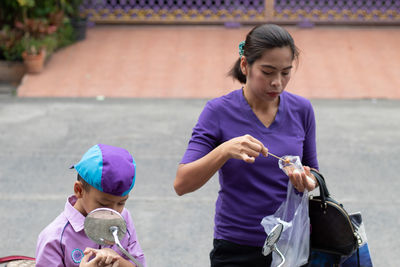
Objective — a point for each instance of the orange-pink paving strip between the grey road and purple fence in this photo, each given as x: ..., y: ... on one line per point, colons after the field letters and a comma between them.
x: 192, y: 62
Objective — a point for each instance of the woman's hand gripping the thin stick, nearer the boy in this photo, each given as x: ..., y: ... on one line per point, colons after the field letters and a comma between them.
x: 246, y: 148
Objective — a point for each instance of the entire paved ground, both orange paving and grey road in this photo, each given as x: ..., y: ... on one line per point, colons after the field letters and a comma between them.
x: 171, y: 71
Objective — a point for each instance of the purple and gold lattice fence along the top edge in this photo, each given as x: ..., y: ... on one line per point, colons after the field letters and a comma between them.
x: 243, y: 11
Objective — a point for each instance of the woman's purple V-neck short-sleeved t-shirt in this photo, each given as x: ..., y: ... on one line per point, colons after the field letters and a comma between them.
x: 249, y: 192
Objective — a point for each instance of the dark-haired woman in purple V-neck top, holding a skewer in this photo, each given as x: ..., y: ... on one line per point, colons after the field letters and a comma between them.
x: 233, y: 136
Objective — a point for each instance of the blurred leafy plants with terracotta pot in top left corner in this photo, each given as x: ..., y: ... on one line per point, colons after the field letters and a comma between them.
x: 30, y: 31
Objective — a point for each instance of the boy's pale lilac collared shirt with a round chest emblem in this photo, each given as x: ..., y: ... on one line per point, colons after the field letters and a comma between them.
x: 63, y: 241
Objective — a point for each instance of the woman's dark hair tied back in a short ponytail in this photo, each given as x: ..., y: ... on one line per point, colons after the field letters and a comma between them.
x: 260, y: 38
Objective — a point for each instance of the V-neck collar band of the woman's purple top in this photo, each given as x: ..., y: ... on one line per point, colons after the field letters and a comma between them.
x: 253, y: 117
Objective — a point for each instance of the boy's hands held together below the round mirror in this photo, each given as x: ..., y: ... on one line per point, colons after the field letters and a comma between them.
x: 105, y: 257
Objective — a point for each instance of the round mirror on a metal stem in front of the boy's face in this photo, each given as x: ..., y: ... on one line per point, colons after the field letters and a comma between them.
x: 107, y: 227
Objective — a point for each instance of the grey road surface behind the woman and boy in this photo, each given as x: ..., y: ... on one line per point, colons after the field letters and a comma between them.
x: 358, y: 146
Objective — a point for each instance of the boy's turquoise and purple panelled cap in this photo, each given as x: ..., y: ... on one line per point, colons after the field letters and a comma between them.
x: 109, y: 169
